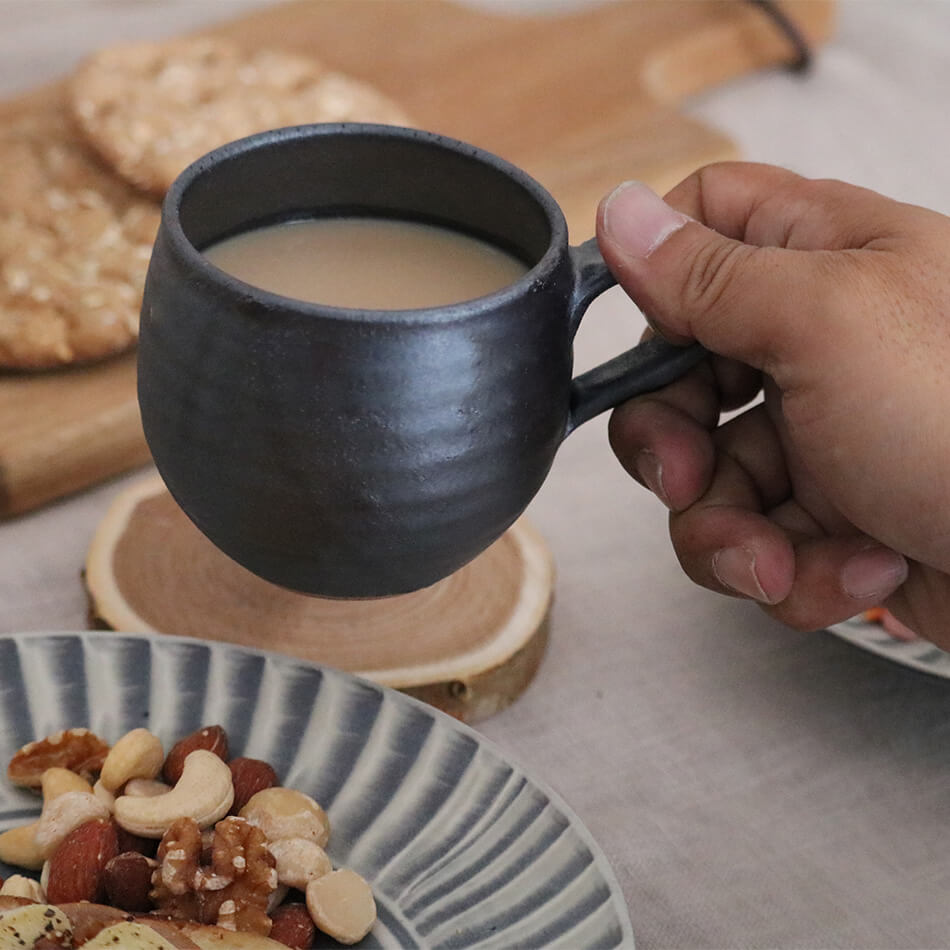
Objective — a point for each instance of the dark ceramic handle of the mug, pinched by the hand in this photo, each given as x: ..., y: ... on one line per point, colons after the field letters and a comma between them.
x: 646, y: 367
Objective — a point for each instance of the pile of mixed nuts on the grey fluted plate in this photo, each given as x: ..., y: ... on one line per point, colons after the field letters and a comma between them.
x: 192, y: 835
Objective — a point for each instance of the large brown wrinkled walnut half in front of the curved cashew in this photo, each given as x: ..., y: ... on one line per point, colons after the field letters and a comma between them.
x: 232, y: 892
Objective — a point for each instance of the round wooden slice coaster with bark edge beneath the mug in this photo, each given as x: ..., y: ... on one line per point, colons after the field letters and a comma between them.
x: 469, y: 644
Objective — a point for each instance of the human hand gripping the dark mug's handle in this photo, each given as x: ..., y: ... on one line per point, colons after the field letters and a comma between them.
x: 831, y: 494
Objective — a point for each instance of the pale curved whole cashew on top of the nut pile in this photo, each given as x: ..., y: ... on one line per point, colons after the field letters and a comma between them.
x: 204, y: 792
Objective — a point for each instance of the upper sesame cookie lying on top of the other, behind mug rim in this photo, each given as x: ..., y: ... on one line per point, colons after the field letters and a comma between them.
x: 150, y: 109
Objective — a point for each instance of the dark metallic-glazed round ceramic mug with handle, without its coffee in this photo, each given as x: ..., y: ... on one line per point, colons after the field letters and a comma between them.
x: 360, y: 453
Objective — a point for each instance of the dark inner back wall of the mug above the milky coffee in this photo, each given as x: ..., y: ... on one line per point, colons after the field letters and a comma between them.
x: 351, y: 169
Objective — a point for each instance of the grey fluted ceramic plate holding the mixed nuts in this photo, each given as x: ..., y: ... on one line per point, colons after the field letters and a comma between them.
x: 461, y: 847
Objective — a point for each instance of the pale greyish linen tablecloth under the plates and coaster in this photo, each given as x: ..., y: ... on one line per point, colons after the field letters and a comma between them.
x: 752, y: 787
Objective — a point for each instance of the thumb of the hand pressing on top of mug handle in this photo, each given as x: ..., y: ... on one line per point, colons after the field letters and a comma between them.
x: 739, y: 300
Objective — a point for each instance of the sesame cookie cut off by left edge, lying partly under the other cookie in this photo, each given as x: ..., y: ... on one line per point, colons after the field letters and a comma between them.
x: 75, y: 241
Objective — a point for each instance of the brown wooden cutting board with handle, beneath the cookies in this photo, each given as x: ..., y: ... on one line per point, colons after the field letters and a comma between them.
x: 582, y: 100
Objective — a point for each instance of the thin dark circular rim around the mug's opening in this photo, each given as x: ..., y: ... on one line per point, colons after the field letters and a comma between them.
x: 198, y: 262
